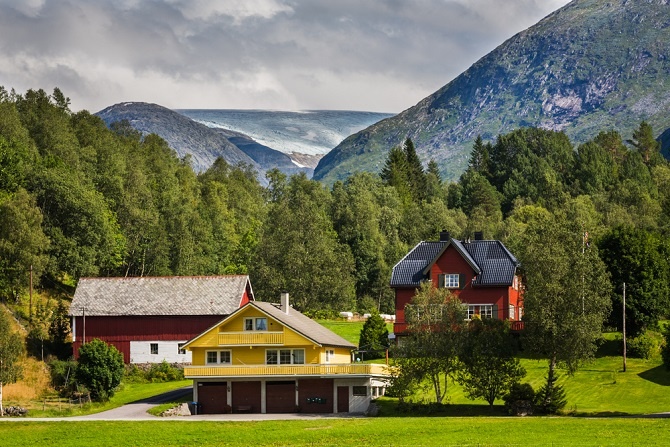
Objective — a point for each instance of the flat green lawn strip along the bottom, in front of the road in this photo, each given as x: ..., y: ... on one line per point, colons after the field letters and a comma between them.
x: 344, y: 432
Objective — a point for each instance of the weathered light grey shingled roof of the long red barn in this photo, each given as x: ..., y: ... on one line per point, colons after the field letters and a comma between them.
x: 160, y: 296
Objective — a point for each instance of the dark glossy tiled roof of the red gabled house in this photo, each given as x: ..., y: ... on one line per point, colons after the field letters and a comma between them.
x: 491, y: 260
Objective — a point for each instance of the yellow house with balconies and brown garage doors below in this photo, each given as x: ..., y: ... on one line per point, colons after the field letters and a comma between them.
x: 268, y: 358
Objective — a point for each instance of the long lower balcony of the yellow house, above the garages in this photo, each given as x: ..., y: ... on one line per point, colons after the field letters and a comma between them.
x: 353, y: 369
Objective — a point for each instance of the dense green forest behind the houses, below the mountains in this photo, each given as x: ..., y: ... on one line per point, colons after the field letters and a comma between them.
x: 78, y: 199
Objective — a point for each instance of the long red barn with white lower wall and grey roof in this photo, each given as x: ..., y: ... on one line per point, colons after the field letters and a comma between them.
x: 148, y: 319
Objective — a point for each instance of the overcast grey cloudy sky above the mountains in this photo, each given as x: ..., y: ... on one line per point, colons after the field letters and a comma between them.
x: 376, y: 55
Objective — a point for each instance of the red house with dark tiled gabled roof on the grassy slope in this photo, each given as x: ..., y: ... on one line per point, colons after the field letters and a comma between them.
x: 481, y: 273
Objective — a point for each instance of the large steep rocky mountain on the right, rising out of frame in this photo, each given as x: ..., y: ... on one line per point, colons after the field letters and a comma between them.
x: 593, y: 65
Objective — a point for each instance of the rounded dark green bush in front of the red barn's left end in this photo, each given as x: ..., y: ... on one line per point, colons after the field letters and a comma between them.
x: 100, y: 369
